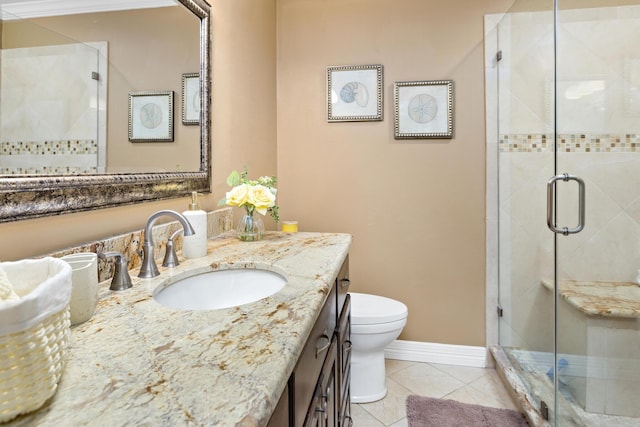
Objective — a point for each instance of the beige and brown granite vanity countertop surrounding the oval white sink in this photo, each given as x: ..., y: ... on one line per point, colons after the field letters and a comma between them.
x: 136, y: 362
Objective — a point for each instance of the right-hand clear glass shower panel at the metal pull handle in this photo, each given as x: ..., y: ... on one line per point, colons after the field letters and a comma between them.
x: 598, y: 139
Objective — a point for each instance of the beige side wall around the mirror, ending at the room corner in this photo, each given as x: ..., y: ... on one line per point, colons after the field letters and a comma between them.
x: 240, y: 134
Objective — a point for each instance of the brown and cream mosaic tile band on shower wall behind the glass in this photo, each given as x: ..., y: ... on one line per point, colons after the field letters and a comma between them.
x: 569, y: 143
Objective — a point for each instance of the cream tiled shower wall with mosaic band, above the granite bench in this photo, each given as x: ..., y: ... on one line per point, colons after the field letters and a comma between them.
x: 598, y: 124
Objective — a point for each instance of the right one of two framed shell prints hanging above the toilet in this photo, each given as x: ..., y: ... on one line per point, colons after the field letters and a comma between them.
x: 423, y: 109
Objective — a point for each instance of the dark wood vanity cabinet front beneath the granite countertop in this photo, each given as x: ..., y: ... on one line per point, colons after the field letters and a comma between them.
x: 317, y: 393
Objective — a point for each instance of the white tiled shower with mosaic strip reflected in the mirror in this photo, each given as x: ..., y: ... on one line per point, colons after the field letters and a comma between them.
x: 49, y: 110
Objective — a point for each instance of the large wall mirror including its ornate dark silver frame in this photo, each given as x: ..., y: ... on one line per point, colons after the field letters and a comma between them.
x: 71, y: 138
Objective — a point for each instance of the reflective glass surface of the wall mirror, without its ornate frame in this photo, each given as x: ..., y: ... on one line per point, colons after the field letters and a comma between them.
x: 64, y: 87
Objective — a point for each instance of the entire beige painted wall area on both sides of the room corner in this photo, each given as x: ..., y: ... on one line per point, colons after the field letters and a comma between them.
x: 415, y: 208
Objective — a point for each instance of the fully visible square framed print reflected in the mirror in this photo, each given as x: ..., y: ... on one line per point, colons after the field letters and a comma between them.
x: 151, y: 116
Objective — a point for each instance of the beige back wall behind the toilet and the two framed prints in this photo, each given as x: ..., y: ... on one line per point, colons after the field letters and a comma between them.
x: 415, y: 208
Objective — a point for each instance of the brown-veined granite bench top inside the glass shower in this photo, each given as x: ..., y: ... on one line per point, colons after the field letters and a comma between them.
x: 607, y: 299
